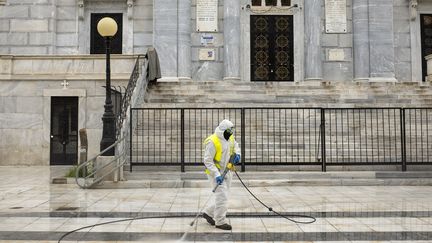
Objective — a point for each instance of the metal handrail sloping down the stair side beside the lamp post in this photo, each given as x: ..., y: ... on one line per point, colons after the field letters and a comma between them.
x: 122, y: 128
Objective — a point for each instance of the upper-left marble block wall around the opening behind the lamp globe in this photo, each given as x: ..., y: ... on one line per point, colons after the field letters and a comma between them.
x: 63, y: 27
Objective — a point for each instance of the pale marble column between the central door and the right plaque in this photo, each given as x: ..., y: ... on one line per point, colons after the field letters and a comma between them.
x: 313, y: 63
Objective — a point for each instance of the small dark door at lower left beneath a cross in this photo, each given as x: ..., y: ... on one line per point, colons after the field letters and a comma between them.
x: 64, y: 131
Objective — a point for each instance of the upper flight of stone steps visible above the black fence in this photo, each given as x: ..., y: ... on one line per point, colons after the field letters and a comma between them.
x: 290, y: 94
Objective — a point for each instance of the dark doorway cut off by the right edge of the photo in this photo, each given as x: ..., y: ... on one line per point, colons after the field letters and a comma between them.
x: 426, y: 36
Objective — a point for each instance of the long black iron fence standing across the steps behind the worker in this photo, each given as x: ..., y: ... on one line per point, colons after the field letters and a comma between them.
x: 286, y: 136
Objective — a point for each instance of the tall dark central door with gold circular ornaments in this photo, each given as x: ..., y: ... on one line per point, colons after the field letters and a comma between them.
x: 272, y: 47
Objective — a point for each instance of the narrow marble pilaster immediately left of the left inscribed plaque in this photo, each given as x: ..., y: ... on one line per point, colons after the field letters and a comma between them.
x: 184, y: 60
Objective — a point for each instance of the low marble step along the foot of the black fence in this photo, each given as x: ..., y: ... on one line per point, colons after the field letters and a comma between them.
x: 197, y: 179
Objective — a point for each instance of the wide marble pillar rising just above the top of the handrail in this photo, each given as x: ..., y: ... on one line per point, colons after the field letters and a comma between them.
x: 165, y: 35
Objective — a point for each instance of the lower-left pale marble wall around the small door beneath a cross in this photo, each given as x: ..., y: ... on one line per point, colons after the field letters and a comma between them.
x: 25, y: 101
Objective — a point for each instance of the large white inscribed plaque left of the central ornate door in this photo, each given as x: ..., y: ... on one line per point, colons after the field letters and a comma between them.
x: 207, y: 16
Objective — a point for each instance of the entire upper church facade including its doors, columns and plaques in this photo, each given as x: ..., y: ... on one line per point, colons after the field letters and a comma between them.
x: 305, y: 39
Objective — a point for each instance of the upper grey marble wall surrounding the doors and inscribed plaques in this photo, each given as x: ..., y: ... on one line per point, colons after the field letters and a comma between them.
x: 381, y: 41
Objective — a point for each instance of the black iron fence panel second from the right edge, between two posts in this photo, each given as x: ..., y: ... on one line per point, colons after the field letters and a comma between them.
x: 363, y: 136
